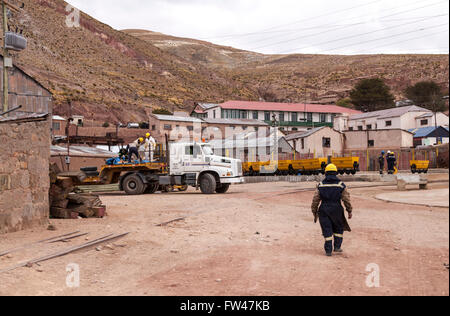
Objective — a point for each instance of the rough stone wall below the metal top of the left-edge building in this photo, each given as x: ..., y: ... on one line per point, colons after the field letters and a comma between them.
x: 24, y: 179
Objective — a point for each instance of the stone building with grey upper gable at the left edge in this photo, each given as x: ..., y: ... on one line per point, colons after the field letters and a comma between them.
x: 24, y: 154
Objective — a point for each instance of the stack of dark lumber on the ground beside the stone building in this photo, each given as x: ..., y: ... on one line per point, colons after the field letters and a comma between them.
x: 68, y: 205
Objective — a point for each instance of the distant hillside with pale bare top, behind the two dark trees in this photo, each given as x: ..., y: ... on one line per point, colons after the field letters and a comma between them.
x: 319, y: 78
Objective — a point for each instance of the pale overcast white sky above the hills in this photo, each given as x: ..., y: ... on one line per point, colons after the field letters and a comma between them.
x: 288, y: 26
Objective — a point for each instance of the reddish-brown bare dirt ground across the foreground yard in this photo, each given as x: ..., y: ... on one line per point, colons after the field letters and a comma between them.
x: 259, y: 239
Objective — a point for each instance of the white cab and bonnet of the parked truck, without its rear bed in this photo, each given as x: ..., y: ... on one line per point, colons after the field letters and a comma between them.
x: 196, y: 164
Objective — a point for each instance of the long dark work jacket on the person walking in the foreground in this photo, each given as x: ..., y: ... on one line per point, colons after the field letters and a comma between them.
x: 331, y: 195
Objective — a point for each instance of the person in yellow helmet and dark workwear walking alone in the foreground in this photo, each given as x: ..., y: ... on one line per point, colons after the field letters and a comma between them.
x: 330, y: 214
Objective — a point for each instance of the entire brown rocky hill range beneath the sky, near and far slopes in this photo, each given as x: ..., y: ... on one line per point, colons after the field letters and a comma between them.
x: 110, y: 75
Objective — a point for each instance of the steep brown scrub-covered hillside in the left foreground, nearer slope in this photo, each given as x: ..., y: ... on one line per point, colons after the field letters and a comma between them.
x: 109, y: 75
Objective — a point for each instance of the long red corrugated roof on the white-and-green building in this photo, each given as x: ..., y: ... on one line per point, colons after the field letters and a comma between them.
x: 286, y: 107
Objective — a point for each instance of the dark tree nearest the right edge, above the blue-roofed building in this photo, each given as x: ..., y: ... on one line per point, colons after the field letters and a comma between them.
x: 429, y: 95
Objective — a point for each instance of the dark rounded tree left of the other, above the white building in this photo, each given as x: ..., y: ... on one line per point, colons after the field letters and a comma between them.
x: 372, y: 95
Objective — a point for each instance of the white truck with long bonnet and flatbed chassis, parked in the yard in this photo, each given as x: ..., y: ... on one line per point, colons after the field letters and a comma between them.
x: 188, y: 164
